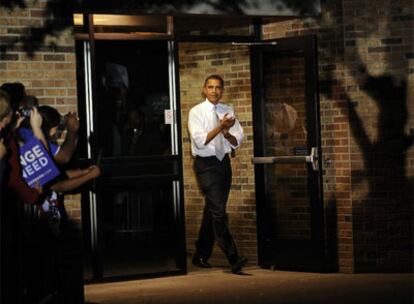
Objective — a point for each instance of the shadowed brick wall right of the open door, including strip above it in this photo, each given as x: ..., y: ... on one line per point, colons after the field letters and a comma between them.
x: 366, y: 80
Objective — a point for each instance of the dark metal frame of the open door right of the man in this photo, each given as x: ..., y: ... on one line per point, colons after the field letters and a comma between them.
x: 308, y: 45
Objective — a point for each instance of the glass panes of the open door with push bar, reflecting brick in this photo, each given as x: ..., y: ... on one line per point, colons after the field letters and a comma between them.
x: 286, y: 136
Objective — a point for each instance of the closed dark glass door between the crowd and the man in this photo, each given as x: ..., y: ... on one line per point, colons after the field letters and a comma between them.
x: 133, y: 220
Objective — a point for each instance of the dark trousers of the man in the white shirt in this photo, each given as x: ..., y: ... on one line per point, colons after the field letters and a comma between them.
x: 214, y: 178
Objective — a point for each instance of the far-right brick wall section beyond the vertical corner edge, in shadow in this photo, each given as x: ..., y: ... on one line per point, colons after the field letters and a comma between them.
x: 381, y: 37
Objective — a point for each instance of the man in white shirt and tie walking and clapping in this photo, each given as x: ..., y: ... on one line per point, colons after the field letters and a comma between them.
x: 214, y: 132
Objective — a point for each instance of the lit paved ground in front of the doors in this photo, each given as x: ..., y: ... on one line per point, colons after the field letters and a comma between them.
x: 258, y: 286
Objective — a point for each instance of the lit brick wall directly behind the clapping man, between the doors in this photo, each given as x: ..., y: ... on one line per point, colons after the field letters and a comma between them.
x: 196, y: 62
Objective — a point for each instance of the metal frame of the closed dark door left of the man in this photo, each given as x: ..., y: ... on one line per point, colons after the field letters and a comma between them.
x: 93, y: 213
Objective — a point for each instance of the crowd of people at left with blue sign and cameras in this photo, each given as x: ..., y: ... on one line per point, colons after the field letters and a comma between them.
x: 23, y: 123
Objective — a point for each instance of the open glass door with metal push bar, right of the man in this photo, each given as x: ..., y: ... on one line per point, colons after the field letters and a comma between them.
x: 286, y: 150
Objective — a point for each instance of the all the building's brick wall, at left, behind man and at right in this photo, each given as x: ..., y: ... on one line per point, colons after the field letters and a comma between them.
x: 366, y: 70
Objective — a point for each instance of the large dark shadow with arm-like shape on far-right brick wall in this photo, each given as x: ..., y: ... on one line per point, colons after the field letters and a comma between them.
x: 383, y: 220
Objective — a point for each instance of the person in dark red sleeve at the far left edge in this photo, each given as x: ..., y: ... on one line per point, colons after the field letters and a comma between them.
x: 16, y: 190
